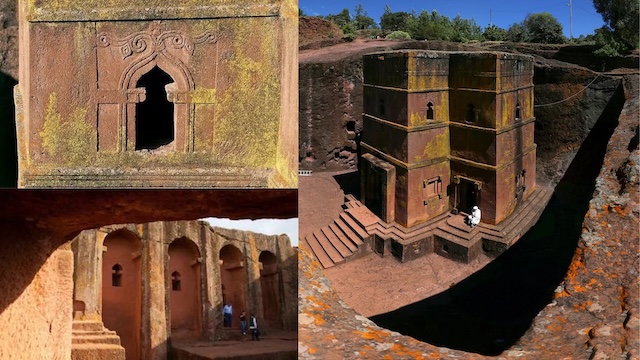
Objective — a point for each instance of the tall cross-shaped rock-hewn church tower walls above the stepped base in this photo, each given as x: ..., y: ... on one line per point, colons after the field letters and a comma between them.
x: 447, y: 130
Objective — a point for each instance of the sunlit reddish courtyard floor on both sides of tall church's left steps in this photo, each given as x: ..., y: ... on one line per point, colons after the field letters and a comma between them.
x: 373, y: 285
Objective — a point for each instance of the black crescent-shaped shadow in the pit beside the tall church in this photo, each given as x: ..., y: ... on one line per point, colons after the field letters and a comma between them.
x: 489, y: 311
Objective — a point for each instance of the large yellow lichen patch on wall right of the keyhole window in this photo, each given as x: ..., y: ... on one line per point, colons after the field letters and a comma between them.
x: 249, y: 110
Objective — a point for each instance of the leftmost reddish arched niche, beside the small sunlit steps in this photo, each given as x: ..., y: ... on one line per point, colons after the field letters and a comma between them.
x: 122, y: 289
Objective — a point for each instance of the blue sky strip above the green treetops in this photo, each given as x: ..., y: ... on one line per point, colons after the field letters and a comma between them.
x: 498, y: 12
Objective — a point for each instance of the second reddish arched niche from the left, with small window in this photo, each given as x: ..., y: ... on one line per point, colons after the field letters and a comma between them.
x: 184, y: 288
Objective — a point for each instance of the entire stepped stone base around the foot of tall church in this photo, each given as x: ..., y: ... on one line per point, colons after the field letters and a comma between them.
x: 446, y: 234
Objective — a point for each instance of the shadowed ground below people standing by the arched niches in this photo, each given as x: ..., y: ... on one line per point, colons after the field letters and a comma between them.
x: 273, y: 343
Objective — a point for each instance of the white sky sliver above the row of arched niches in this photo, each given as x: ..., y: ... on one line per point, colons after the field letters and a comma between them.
x: 262, y: 226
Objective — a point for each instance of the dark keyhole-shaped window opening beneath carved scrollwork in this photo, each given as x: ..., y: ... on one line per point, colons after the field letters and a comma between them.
x: 154, y: 116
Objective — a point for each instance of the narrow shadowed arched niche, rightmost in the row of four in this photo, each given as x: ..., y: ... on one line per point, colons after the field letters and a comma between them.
x: 269, y: 283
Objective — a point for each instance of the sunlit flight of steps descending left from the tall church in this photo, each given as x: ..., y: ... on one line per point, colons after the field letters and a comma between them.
x: 346, y: 236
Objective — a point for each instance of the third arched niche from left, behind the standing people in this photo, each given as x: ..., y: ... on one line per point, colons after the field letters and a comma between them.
x: 234, y: 281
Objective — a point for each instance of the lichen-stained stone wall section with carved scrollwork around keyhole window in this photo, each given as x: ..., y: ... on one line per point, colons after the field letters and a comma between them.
x: 139, y: 94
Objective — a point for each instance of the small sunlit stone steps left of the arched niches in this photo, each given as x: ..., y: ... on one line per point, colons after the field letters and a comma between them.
x: 90, y: 340
